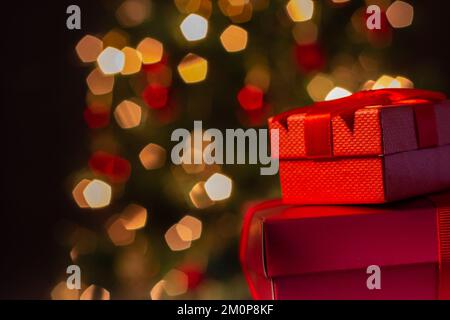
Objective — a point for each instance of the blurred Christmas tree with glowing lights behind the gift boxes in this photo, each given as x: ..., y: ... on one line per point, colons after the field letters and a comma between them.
x: 148, y: 228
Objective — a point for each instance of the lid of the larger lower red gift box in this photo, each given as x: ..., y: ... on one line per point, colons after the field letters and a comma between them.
x: 282, y: 240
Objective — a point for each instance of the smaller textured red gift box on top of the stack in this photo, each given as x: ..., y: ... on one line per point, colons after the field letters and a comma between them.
x: 371, y: 147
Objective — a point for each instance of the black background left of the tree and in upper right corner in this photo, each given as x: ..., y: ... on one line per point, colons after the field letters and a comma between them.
x: 43, y: 130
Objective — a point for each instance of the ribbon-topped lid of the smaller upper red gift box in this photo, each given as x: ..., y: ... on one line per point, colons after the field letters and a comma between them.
x: 367, y: 123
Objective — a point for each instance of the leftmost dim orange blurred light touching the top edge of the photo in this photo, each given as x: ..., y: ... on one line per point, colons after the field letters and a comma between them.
x: 133, y: 12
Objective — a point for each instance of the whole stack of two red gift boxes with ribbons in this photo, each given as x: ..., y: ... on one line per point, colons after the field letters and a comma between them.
x: 364, y: 183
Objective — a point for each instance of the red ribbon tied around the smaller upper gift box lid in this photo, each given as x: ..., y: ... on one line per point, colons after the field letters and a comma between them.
x: 317, y: 123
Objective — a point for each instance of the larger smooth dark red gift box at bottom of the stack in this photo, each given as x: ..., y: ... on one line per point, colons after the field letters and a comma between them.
x: 325, y: 252
